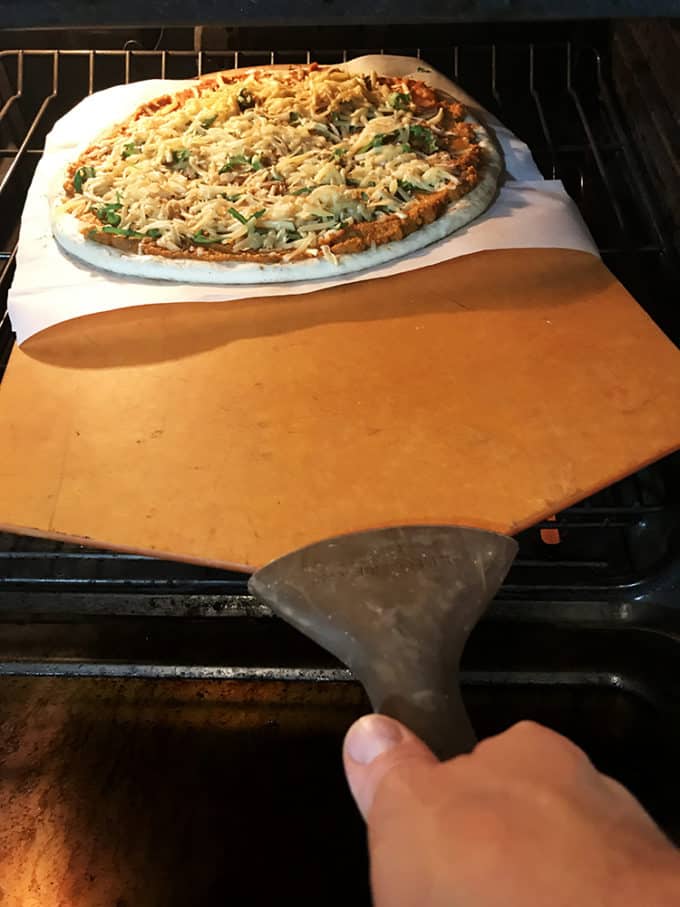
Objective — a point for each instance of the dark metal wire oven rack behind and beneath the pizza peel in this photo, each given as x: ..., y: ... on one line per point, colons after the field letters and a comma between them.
x: 617, y: 553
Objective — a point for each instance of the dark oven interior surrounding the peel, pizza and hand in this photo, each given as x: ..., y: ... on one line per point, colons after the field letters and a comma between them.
x: 164, y: 739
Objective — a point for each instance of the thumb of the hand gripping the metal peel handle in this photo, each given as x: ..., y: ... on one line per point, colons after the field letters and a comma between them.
x: 375, y: 746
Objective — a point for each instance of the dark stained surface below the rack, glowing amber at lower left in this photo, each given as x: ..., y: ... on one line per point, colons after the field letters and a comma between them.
x: 129, y: 793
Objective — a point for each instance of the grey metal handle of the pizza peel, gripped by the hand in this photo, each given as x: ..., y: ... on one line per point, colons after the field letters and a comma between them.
x: 396, y: 606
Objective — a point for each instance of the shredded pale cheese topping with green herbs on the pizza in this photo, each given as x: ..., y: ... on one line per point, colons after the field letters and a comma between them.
x: 276, y: 160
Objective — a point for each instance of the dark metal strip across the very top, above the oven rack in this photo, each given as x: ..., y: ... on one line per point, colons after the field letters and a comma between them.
x: 99, y: 13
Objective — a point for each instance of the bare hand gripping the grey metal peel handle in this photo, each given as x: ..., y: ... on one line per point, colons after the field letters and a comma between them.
x: 523, y: 821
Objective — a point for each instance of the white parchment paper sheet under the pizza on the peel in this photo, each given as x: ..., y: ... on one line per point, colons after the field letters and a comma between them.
x: 49, y: 287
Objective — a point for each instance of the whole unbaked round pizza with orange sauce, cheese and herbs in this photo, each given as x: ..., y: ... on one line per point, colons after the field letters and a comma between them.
x: 276, y: 174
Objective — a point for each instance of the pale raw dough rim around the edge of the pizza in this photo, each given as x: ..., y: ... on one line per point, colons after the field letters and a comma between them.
x: 68, y: 231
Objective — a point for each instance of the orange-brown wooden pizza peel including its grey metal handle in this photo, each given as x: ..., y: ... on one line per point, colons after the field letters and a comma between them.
x: 489, y: 391
